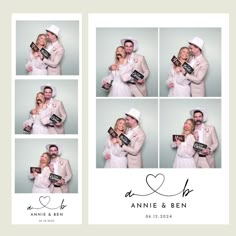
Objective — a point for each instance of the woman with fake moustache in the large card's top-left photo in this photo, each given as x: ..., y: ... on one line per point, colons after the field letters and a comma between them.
x: 119, y: 75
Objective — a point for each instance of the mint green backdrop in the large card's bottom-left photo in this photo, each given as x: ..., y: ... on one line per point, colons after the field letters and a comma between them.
x: 108, y: 111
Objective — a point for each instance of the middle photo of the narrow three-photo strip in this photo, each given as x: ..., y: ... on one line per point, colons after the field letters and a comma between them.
x: 45, y: 107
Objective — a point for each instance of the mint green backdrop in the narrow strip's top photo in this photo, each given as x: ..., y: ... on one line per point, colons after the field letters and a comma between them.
x: 28, y: 31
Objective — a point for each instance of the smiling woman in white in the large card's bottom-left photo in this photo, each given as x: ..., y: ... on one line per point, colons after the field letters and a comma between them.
x: 115, y: 157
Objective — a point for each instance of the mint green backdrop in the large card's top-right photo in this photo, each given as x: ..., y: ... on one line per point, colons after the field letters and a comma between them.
x: 172, y: 39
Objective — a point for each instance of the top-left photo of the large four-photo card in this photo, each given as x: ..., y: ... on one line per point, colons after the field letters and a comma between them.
x: 129, y: 62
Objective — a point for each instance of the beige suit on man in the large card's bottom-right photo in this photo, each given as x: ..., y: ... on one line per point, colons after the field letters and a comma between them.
x: 211, y: 140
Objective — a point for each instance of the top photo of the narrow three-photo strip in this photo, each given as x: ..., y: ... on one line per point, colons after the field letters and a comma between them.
x: 47, y: 44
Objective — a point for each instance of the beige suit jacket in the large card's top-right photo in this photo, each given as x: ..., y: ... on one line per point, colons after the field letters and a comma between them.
x: 198, y: 77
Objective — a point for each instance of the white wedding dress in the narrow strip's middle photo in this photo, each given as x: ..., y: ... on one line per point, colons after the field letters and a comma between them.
x: 39, y: 120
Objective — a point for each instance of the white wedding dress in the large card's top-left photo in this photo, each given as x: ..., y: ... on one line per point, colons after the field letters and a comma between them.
x: 119, y: 79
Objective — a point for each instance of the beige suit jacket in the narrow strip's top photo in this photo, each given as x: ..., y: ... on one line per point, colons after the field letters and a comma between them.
x: 54, y: 60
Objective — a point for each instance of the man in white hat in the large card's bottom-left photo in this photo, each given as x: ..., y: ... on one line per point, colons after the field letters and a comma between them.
x: 137, y: 137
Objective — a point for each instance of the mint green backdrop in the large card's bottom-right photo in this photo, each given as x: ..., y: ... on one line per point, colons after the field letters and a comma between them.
x: 173, y: 114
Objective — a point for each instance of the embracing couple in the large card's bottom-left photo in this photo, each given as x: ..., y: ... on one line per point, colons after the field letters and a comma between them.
x: 119, y: 155
